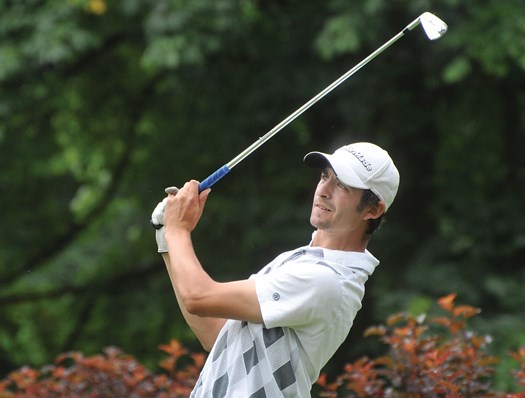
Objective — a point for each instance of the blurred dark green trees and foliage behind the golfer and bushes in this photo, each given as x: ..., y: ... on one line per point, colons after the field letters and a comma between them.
x: 104, y: 103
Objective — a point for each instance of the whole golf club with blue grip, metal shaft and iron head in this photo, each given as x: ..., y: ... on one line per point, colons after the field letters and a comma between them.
x: 434, y: 29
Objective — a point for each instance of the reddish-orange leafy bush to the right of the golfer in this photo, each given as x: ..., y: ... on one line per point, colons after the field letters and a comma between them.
x: 427, y: 357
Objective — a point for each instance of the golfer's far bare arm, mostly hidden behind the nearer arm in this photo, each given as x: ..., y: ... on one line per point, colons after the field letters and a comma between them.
x: 205, y: 328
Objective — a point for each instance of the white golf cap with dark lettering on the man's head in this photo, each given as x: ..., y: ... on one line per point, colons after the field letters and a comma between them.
x: 361, y: 165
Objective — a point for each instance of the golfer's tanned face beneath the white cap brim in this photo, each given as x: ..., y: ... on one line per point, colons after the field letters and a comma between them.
x: 335, y: 206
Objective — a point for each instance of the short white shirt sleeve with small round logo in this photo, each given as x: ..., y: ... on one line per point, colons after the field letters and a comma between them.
x: 298, y: 294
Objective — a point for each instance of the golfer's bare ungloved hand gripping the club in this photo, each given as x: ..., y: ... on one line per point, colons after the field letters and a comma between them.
x: 184, y: 210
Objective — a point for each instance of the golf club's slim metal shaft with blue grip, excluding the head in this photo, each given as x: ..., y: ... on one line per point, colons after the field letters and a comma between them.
x: 221, y: 172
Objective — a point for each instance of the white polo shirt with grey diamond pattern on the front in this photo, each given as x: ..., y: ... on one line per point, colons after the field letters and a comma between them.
x: 309, y: 298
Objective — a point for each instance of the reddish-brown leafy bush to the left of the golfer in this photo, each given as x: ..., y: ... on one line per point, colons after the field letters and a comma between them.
x: 111, y: 374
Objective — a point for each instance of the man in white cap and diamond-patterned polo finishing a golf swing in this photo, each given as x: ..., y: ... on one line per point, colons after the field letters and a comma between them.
x: 271, y: 334
